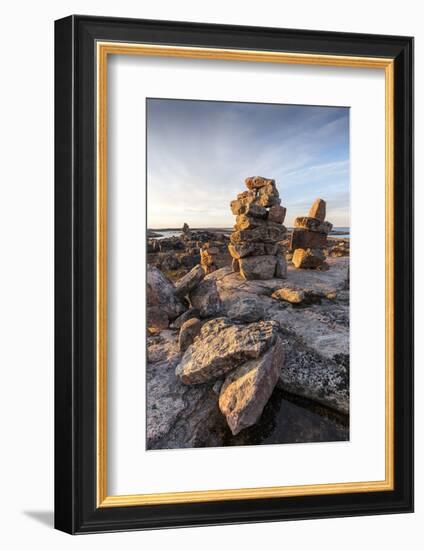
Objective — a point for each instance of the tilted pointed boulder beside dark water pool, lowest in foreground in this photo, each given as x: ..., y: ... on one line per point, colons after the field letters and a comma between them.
x: 247, y: 389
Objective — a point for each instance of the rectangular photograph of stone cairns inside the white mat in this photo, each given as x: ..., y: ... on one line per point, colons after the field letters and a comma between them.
x: 247, y: 273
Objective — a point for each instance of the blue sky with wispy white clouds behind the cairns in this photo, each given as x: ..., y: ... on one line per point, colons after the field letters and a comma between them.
x: 200, y: 152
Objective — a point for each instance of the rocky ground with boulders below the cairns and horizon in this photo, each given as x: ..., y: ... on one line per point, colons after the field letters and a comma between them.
x: 234, y: 362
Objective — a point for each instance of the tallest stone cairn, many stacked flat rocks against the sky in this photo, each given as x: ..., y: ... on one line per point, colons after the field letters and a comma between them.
x: 255, y: 247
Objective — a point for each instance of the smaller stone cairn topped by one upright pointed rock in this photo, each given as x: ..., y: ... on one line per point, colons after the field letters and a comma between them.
x: 309, y: 237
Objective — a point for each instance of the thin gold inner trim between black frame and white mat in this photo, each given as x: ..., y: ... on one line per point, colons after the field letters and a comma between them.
x: 104, y: 49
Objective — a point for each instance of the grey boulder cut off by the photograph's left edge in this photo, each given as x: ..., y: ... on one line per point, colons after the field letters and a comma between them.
x: 161, y: 292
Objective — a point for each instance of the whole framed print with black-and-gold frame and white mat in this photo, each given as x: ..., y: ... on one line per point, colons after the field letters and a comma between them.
x: 234, y: 256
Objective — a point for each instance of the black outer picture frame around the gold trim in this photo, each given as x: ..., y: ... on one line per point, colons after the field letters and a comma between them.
x: 76, y: 510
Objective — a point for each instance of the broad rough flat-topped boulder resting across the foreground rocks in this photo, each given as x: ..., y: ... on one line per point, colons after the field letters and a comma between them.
x: 222, y: 346
